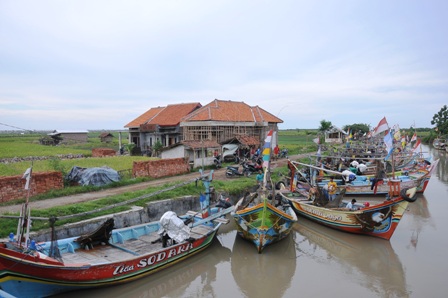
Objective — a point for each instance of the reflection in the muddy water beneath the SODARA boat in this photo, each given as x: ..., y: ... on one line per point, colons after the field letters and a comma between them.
x: 171, y: 282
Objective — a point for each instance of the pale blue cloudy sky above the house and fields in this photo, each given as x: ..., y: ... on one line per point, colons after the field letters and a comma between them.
x: 97, y: 65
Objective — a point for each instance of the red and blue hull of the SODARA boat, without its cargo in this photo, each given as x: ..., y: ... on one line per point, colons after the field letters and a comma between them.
x: 38, y: 275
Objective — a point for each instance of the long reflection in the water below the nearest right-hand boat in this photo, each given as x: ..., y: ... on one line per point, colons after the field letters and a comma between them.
x: 372, y: 262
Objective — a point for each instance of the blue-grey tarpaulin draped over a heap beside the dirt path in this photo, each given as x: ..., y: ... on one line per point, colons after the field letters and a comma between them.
x: 93, y: 176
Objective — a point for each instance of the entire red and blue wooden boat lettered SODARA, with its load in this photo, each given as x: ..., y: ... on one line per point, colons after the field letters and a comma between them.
x: 106, y: 256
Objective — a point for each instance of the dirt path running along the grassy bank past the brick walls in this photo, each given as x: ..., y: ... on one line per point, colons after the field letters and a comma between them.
x: 78, y: 198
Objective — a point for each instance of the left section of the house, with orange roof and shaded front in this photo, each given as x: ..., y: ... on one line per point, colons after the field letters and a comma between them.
x: 159, y: 124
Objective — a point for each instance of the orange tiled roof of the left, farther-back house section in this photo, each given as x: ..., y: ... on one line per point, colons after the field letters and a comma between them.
x: 165, y: 116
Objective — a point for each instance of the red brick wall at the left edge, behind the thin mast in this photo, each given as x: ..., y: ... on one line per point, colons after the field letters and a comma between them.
x: 13, y: 187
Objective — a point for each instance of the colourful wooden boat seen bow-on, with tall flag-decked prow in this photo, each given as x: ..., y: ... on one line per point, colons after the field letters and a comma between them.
x: 258, y: 218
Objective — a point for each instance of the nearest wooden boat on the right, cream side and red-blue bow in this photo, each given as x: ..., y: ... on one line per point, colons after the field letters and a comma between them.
x: 379, y: 218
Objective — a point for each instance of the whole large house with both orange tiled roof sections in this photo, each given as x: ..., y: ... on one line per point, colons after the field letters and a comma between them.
x: 200, y: 132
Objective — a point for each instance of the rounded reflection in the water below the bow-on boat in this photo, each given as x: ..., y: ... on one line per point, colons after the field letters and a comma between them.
x: 263, y: 275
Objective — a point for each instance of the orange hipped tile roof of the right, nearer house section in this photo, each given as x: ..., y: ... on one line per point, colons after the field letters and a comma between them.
x: 231, y: 111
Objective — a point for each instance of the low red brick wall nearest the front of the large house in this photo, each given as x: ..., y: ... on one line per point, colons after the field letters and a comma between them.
x: 160, y: 168
